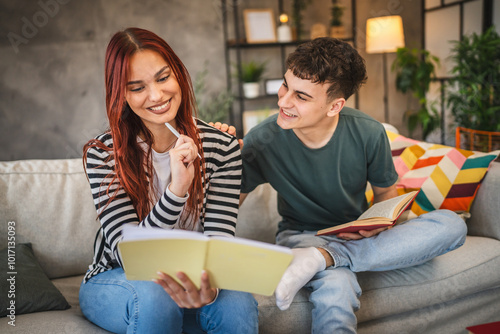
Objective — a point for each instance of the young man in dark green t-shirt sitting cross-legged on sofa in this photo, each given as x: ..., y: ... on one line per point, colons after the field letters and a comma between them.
x: 319, y: 156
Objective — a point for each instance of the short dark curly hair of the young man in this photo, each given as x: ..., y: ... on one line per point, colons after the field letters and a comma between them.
x: 329, y: 60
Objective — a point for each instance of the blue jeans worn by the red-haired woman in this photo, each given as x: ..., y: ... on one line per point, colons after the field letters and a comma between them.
x: 118, y: 305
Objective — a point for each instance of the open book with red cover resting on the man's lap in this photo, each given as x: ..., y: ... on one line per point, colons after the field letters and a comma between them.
x: 380, y: 214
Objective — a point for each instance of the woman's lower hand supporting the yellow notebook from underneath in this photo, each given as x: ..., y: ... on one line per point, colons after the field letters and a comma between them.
x: 186, y: 295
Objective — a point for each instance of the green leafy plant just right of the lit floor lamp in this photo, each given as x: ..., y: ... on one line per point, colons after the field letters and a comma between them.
x: 415, y: 69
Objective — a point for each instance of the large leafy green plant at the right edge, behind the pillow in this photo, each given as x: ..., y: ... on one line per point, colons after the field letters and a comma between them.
x: 474, y: 96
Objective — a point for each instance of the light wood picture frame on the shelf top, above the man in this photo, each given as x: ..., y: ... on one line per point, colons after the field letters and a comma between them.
x: 259, y: 25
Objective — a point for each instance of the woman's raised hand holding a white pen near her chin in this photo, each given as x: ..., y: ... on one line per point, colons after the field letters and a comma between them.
x: 182, y: 168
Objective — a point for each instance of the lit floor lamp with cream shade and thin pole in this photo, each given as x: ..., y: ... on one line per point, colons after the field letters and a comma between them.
x: 384, y: 35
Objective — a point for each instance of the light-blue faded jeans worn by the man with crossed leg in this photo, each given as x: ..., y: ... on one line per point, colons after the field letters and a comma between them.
x: 335, y: 291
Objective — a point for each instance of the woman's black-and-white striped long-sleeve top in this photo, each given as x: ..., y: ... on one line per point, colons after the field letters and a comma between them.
x: 220, y: 202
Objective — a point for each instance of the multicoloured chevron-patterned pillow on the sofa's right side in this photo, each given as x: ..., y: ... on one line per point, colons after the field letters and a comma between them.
x: 448, y: 177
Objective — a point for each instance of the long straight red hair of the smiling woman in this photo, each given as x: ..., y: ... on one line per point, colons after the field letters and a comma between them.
x: 132, y: 163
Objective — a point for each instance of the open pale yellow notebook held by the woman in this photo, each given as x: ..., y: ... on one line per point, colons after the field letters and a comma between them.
x: 232, y: 263
